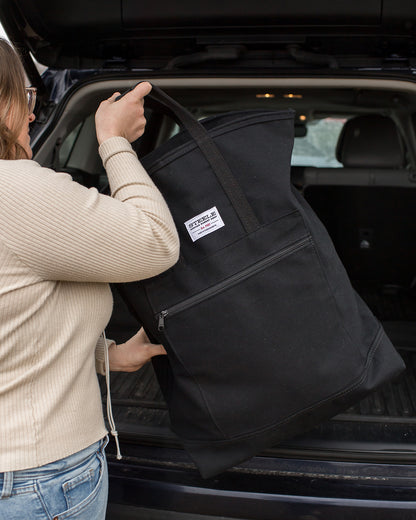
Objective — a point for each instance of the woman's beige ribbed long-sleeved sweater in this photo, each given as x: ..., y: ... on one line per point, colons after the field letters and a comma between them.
x: 60, y: 244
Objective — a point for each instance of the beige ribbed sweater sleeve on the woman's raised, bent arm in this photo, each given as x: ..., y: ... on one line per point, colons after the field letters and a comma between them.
x: 64, y: 231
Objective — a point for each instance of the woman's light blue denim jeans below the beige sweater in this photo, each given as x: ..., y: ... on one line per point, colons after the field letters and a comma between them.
x: 75, y: 487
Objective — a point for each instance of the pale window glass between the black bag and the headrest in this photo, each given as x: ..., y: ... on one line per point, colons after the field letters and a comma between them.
x: 318, y: 146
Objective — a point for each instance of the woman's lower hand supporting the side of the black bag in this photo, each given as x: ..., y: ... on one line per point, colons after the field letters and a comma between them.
x: 132, y: 355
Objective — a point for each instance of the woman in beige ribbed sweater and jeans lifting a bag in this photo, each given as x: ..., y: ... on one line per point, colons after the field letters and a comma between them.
x: 60, y: 245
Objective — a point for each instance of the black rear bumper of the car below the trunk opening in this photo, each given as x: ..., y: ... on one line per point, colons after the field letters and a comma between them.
x: 264, y: 489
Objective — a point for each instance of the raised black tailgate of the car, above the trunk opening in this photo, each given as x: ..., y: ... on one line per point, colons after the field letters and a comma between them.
x: 131, y: 34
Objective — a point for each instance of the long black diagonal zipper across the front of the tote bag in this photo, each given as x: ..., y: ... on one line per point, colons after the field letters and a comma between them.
x: 230, y: 282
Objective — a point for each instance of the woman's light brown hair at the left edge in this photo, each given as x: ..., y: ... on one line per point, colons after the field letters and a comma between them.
x: 13, y: 102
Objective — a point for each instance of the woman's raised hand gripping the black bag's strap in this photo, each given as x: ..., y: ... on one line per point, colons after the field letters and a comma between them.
x: 123, y: 118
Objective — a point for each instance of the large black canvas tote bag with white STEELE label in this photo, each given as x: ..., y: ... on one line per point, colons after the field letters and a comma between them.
x: 264, y: 333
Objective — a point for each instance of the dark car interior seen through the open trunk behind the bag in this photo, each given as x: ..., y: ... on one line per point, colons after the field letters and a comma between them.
x: 354, y: 161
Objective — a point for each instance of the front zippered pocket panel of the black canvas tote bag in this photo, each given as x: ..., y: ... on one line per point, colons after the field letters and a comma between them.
x: 253, y: 348
